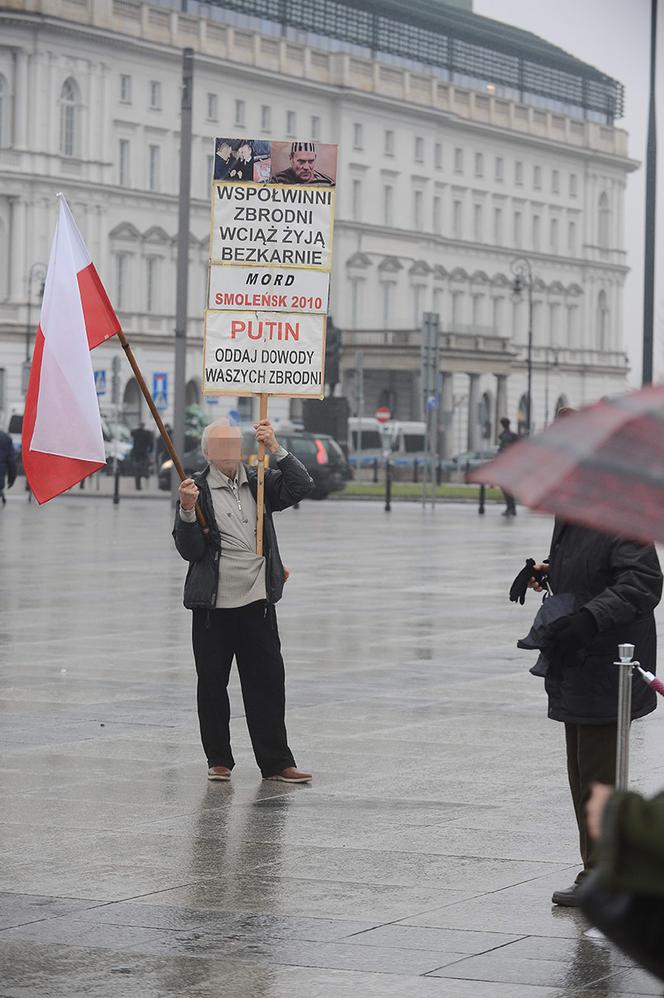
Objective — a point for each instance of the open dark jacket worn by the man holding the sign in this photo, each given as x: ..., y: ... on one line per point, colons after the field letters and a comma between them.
x: 284, y: 487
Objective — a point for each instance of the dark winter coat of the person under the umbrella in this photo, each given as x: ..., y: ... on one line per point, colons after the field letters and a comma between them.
x: 620, y: 583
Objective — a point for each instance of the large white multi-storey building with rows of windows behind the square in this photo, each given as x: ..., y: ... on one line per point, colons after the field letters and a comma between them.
x: 446, y: 175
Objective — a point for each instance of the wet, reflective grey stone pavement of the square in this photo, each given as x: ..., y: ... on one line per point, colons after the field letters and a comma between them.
x: 419, y: 863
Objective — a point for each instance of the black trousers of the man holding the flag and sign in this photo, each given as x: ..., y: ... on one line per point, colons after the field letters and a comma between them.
x: 249, y: 634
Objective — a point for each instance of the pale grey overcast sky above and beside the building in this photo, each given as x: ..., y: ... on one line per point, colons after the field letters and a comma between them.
x: 612, y: 35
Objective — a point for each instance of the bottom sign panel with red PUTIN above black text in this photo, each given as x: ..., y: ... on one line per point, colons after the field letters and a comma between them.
x: 259, y: 353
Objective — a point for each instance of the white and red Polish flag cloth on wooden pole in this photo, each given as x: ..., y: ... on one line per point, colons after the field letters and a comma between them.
x: 62, y: 441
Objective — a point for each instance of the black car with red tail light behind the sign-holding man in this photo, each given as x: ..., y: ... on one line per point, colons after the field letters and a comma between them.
x: 320, y: 454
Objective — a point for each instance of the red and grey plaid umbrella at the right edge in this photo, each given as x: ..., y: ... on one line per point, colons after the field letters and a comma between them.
x: 602, y: 466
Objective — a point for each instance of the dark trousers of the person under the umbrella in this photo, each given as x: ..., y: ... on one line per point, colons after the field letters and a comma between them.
x: 591, y: 758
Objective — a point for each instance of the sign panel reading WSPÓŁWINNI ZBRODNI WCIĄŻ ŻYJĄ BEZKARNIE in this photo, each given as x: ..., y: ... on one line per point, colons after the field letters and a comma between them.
x: 269, y: 225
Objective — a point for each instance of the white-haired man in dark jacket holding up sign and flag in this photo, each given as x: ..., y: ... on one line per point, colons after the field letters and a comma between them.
x: 232, y: 592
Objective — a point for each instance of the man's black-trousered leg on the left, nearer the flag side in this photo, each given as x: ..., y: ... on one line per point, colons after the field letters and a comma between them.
x: 213, y: 637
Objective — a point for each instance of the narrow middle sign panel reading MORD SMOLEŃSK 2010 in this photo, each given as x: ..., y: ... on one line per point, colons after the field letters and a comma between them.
x: 268, y: 289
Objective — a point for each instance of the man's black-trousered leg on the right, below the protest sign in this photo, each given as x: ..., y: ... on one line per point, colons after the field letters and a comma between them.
x: 262, y: 677
